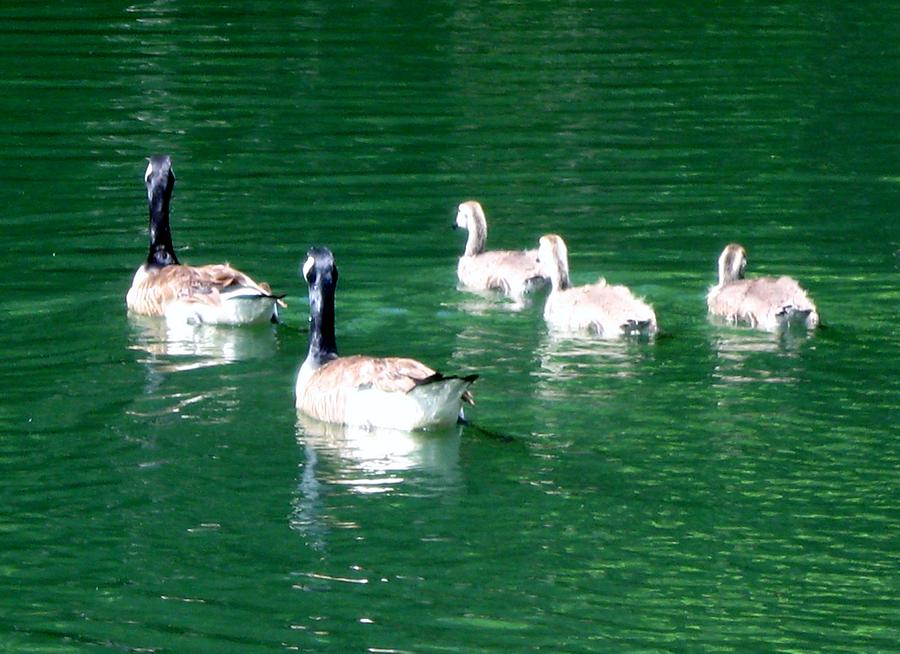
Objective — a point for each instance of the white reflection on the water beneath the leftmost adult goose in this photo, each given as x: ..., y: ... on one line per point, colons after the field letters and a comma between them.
x: 178, y: 346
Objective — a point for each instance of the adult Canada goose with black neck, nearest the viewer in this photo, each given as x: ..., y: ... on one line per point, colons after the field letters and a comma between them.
x: 365, y: 391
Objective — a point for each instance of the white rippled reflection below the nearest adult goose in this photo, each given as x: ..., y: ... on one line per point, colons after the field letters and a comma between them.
x: 366, y: 461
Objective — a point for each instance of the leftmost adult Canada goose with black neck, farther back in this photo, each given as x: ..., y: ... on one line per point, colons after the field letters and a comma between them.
x: 214, y: 294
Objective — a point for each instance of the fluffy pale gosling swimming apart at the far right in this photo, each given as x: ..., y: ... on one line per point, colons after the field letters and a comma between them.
x: 769, y: 303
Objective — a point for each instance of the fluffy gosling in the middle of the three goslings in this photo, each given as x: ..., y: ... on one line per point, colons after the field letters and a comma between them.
x: 608, y: 311
